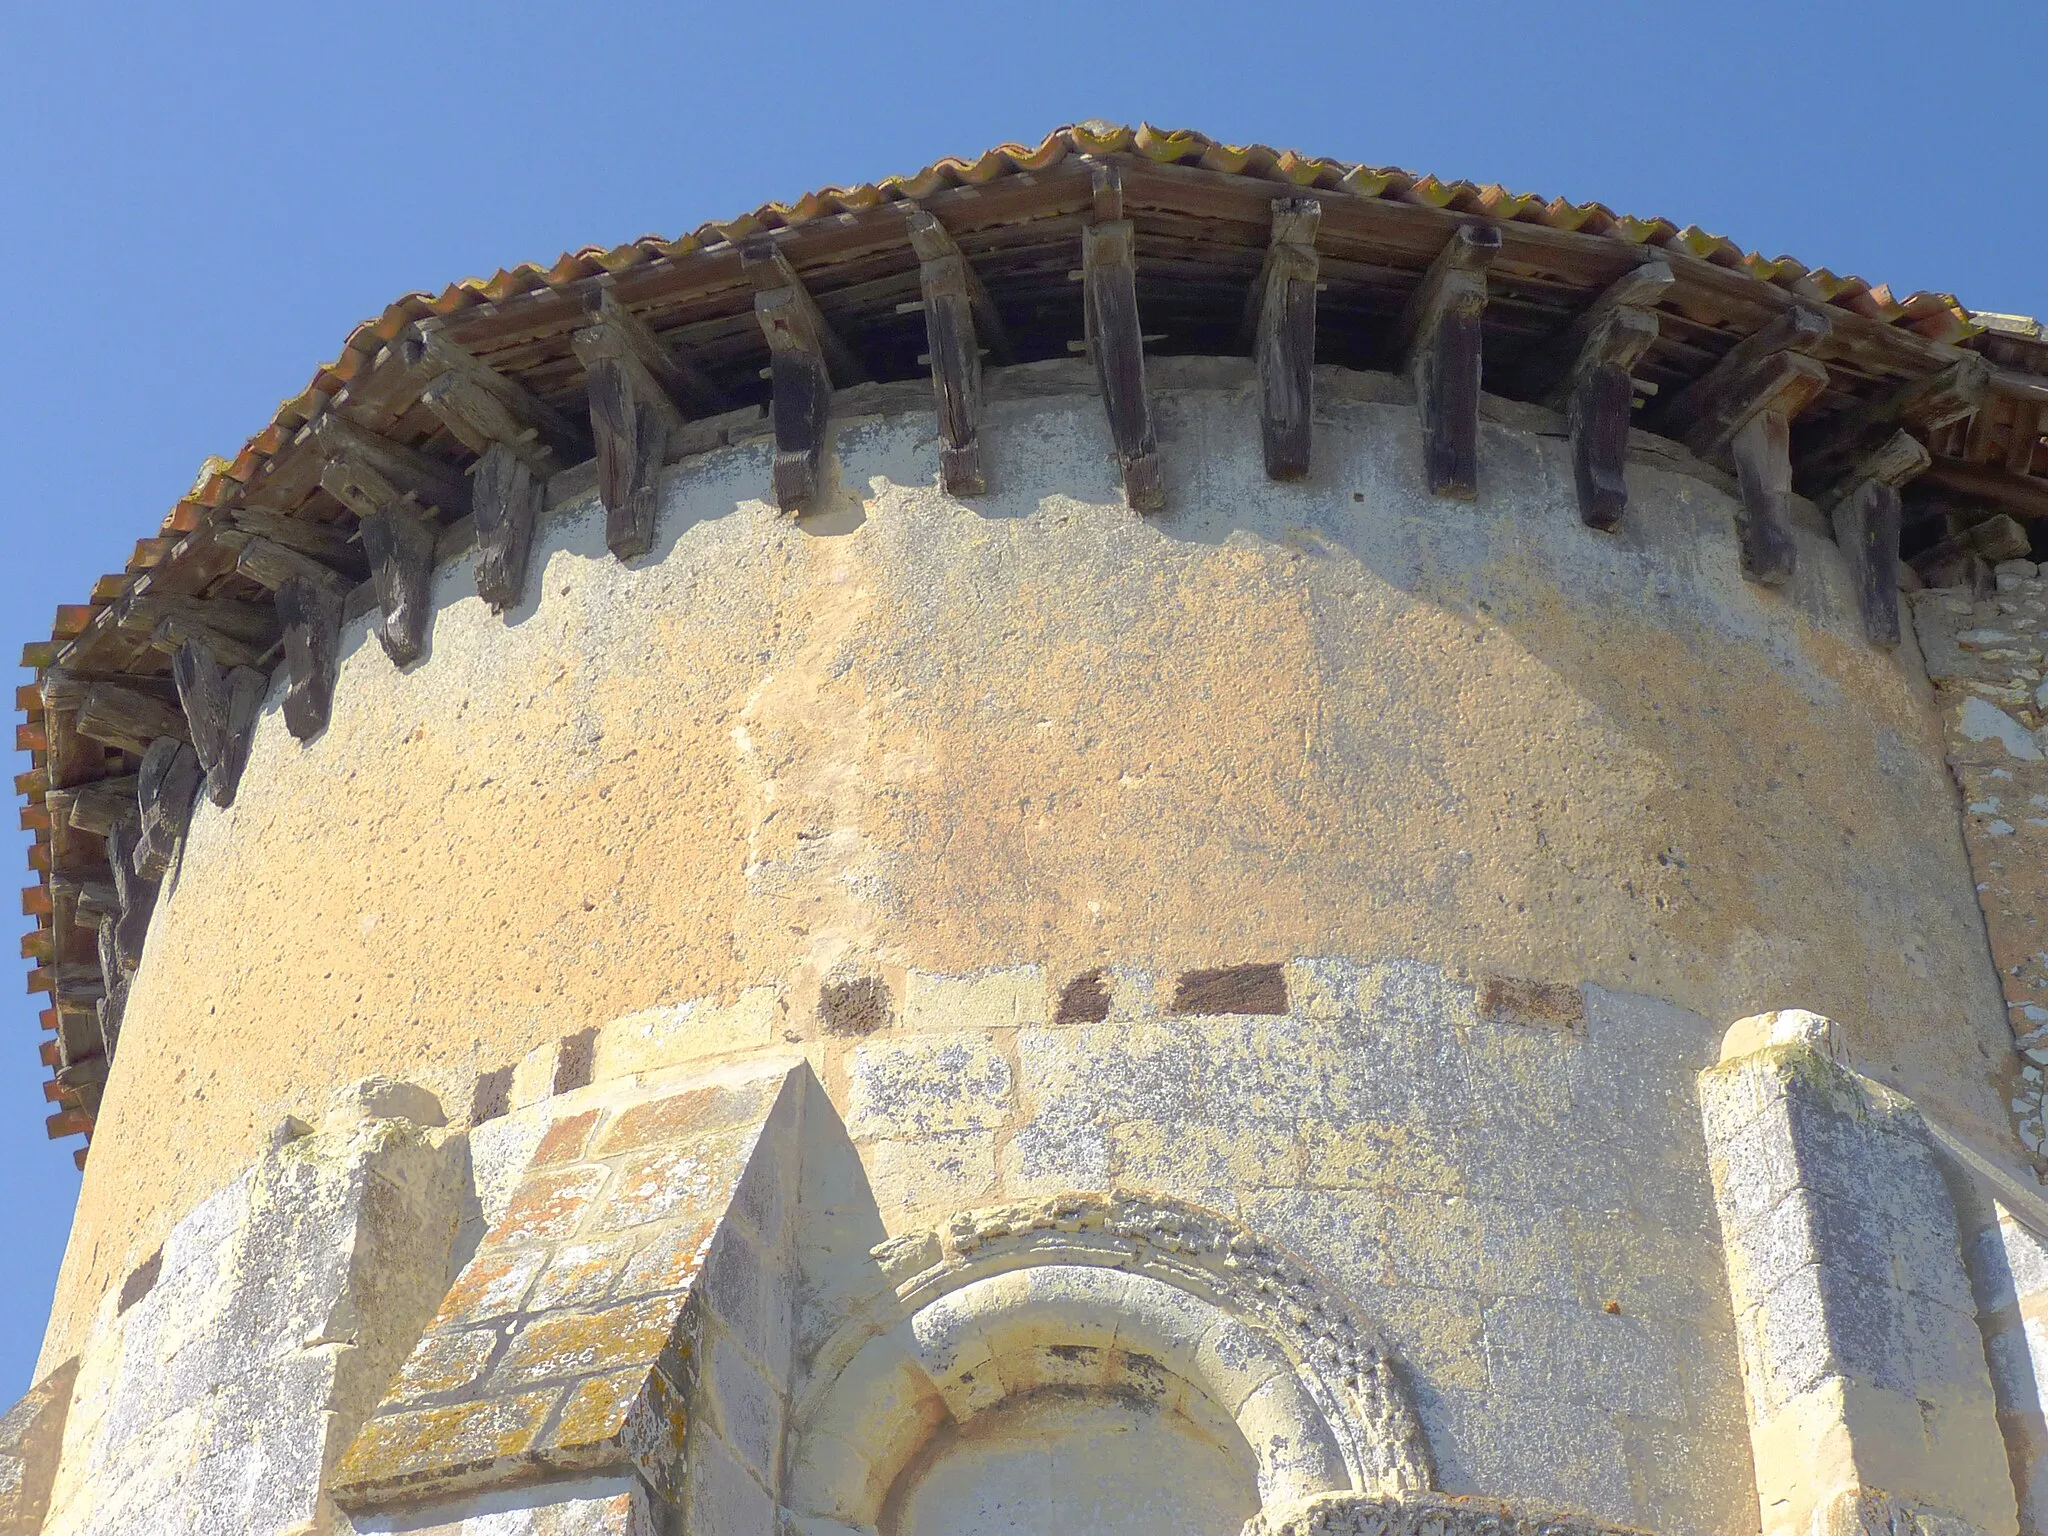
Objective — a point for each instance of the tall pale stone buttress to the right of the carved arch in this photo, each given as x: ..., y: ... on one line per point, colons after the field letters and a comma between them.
x: 1863, y: 1361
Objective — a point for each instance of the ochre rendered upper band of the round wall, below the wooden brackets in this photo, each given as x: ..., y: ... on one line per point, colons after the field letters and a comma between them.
x: 923, y: 738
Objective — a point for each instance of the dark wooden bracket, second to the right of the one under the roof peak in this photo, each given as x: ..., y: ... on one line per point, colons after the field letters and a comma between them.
x: 1439, y: 341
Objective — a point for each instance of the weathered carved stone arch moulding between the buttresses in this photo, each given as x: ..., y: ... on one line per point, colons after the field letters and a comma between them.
x: 1132, y: 1293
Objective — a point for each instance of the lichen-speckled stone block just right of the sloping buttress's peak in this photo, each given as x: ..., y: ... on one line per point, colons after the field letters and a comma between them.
x: 929, y: 1084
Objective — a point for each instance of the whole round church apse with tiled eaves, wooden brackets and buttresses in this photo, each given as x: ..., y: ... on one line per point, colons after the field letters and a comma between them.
x: 1369, y: 937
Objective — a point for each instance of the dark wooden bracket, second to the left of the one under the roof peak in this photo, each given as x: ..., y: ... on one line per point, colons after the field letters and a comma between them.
x: 806, y: 359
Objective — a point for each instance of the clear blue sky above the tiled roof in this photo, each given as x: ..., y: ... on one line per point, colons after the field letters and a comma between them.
x: 198, y: 204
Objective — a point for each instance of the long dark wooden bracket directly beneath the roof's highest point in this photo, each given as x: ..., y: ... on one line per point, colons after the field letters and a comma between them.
x: 1117, y: 343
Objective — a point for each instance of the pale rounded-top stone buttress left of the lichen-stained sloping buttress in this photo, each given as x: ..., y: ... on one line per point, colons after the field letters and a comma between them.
x: 222, y: 1396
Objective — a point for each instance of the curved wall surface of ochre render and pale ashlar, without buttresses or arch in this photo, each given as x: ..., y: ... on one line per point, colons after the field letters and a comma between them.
x: 1037, y: 736
